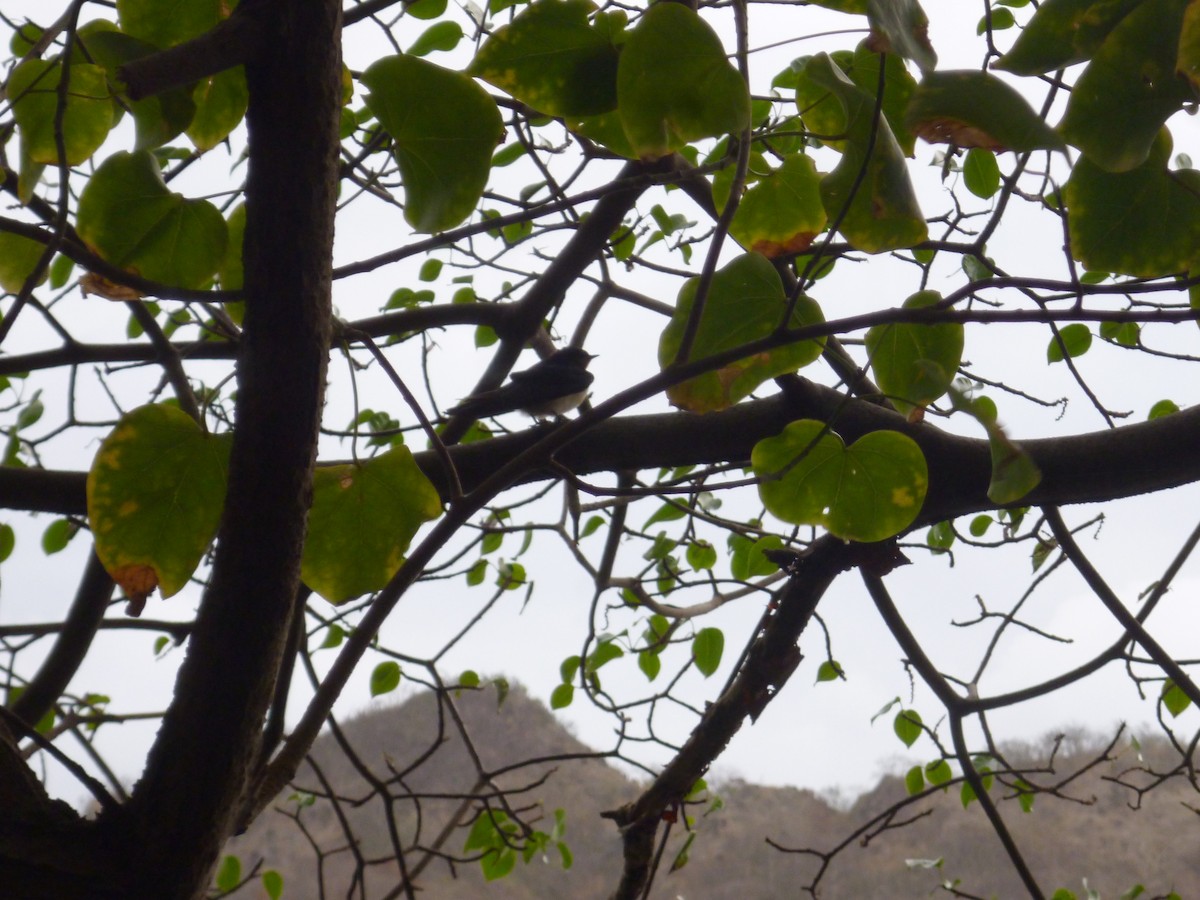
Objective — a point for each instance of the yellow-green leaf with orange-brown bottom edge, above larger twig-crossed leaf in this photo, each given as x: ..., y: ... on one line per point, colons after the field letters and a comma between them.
x: 782, y: 213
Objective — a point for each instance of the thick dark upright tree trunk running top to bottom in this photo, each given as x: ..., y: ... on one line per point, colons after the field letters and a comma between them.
x: 211, y: 736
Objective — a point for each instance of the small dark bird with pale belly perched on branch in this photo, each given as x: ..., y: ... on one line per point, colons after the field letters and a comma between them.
x: 554, y: 387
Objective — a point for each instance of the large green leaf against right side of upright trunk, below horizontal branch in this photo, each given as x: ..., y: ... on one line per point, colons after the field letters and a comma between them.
x: 363, y: 519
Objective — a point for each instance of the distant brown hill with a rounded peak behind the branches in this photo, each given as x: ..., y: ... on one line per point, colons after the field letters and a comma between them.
x: 1100, y: 838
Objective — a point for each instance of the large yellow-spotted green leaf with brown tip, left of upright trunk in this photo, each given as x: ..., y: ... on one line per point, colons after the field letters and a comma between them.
x: 155, y: 495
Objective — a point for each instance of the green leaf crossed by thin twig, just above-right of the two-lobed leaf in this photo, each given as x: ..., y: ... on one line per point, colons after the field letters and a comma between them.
x: 914, y: 364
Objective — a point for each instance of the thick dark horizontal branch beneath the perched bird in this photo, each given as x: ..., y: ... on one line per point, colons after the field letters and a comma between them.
x: 1082, y: 469
